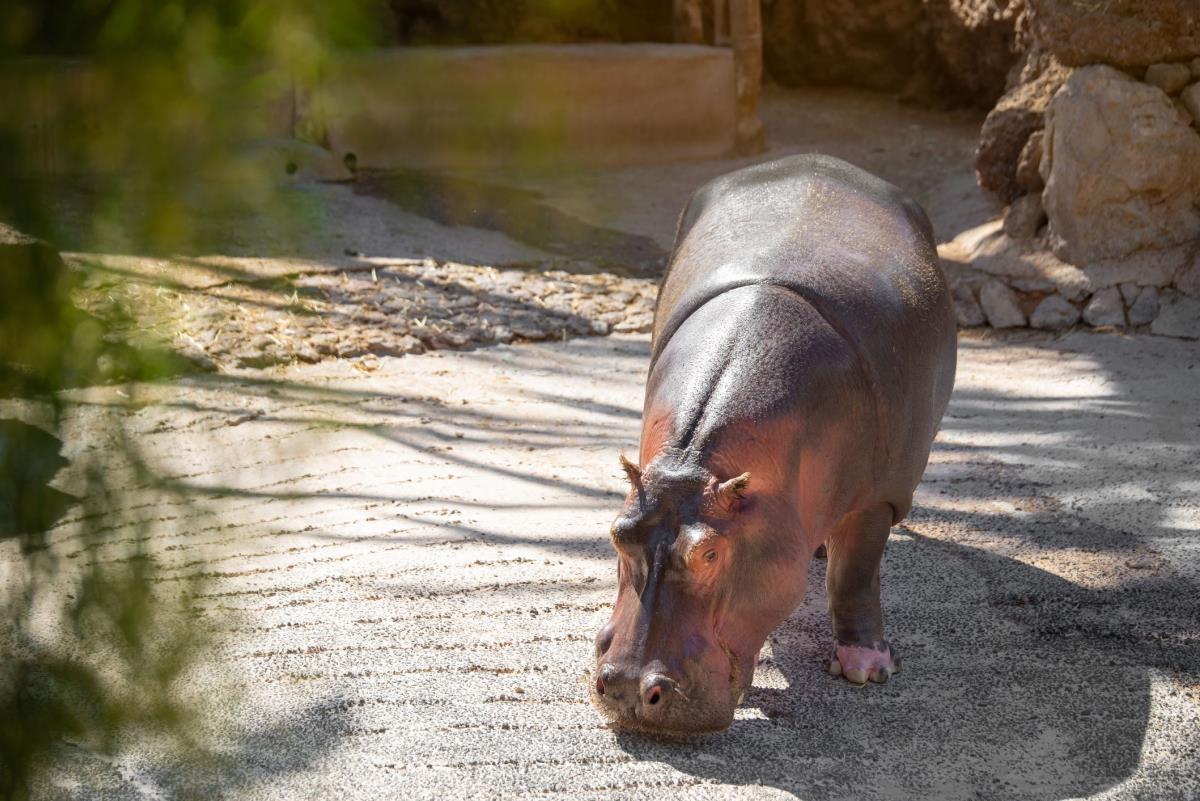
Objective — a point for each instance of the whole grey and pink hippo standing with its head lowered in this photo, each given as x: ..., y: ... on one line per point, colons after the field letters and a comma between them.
x: 803, y: 356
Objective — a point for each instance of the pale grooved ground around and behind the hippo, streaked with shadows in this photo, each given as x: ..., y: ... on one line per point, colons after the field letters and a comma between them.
x: 407, y: 561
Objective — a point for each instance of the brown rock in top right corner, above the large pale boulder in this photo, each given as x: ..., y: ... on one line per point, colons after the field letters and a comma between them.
x: 1123, y: 33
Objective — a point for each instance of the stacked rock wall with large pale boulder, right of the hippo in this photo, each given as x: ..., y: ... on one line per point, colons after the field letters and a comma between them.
x: 1096, y: 152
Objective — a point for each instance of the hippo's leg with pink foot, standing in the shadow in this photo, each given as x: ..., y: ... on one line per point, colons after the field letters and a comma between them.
x: 853, y: 583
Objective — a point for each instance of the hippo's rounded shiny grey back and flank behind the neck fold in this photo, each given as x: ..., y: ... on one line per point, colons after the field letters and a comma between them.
x: 855, y: 249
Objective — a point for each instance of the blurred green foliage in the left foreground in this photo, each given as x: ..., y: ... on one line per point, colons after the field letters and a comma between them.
x: 140, y: 133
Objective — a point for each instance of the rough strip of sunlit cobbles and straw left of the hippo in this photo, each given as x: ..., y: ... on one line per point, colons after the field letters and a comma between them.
x: 369, y: 309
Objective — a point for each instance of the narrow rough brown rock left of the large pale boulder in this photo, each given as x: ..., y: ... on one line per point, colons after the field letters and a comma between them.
x: 1018, y: 116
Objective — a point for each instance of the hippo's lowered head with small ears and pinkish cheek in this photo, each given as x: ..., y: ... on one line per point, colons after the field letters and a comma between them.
x: 699, y: 591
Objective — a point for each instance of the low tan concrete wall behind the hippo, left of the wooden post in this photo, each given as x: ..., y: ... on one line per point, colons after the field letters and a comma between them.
x: 527, y: 105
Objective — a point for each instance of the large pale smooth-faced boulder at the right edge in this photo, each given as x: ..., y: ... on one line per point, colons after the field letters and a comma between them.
x: 1121, y: 172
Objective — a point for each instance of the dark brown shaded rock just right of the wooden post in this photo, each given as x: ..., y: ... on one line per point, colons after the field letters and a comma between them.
x: 872, y: 45
